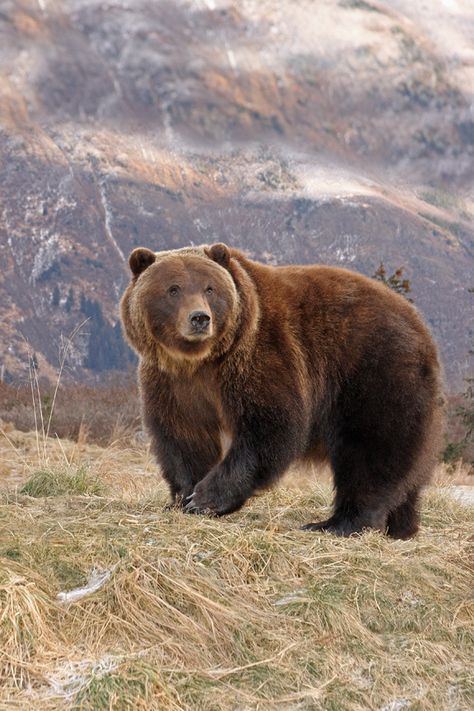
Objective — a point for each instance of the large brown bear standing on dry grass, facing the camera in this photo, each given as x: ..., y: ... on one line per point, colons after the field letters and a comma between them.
x: 246, y: 368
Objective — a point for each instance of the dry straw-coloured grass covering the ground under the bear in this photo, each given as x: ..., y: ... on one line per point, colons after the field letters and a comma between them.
x: 245, y: 612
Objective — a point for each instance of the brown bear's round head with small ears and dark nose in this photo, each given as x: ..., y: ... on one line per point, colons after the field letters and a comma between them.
x: 181, y: 304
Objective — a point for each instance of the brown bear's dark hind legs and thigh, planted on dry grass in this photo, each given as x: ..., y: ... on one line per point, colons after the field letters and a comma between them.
x: 382, y: 450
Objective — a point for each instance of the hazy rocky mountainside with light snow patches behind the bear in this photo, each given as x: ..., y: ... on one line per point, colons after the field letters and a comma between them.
x: 302, y: 131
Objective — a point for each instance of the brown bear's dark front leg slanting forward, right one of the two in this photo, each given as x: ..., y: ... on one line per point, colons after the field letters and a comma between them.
x: 259, y: 454
